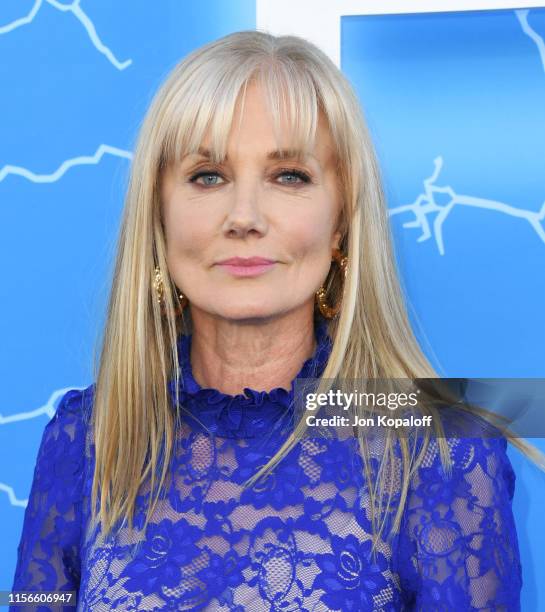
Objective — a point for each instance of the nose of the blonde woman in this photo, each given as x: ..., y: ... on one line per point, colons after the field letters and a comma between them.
x: 245, y: 213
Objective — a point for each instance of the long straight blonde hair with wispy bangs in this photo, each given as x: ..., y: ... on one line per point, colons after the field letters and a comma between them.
x: 134, y: 423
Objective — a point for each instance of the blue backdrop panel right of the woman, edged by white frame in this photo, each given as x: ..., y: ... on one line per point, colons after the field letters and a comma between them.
x: 456, y: 107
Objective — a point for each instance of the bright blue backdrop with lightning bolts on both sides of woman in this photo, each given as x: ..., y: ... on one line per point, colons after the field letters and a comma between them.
x: 468, y: 88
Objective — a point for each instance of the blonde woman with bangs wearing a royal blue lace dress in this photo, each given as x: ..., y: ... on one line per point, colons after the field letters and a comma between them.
x: 254, y: 253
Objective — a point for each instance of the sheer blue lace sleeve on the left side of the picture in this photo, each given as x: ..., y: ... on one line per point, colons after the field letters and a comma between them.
x: 48, y: 552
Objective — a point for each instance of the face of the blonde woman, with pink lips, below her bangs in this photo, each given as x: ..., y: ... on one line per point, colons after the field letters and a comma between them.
x: 253, y: 205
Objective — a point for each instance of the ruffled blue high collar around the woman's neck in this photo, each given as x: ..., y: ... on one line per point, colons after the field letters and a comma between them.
x: 249, y: 414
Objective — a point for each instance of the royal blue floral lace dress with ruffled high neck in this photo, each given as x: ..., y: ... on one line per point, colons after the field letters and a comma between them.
x: 298, y: 540
